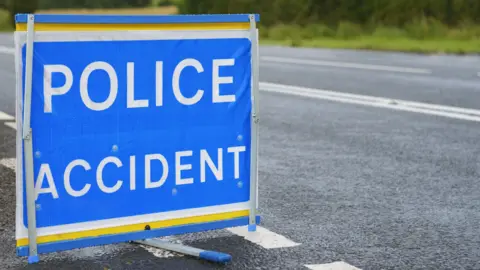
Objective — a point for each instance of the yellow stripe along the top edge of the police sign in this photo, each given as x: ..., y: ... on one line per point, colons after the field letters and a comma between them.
x: 126, y: 27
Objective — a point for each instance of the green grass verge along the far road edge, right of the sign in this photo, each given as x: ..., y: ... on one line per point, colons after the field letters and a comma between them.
x: 424, y: 36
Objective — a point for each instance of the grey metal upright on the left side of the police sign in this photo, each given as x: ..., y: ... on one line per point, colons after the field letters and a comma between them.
x: 28, y: 147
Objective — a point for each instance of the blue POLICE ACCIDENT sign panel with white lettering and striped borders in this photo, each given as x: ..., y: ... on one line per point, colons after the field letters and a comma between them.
x: 133, y: 128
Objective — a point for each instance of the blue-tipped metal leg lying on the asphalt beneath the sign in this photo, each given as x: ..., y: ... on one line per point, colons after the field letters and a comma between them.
x: 208, y: 255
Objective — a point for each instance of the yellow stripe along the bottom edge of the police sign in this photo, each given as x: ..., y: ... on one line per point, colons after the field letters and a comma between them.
x: 136, y: 227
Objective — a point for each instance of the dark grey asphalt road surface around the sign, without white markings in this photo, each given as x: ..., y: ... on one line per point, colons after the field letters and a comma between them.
x: 376, y: 188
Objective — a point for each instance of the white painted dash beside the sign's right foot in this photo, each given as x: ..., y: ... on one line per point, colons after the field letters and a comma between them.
x: 263, y: 237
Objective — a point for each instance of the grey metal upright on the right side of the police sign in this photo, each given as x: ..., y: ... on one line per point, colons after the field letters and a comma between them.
x: 254, y: 120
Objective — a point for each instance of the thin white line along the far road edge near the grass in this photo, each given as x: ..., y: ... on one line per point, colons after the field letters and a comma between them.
x: 345, y: 65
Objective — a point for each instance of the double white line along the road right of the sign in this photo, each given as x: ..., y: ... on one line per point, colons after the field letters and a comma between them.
x: 381, y: 102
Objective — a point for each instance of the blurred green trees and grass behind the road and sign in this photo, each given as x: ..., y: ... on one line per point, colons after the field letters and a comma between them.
x: 410, y: 25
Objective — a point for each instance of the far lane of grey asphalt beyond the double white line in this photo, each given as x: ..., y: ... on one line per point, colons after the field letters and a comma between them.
x: 454, y: 80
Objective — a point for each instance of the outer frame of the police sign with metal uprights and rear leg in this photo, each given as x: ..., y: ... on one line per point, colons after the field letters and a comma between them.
x: 27, y: 24
